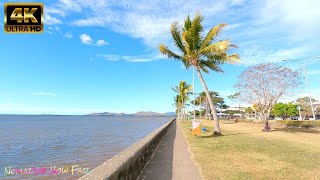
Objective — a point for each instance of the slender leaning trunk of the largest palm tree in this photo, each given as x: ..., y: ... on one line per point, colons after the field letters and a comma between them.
x: 217, y: 130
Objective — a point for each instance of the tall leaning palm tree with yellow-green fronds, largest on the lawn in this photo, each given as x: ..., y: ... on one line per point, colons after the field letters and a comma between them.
x: 203, y: 54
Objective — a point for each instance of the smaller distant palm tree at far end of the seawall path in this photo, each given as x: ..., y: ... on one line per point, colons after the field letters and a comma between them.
x: 183, y: 91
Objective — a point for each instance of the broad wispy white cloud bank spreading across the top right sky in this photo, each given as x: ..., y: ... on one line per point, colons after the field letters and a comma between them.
x: 280, y: 27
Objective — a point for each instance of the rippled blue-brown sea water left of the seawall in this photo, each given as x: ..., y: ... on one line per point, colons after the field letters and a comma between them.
x: 87, y: 141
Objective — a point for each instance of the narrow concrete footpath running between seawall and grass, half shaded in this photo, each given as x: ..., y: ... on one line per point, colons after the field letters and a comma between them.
x: 172, y: 159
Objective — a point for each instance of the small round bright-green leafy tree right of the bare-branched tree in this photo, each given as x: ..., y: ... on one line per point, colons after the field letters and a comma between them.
x: 284, y: 110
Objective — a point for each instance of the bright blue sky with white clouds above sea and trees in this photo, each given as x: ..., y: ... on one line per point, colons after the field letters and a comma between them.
x: 102, y: 55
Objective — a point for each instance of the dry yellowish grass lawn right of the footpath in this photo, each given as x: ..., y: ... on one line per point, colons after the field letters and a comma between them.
x: 245, y: 152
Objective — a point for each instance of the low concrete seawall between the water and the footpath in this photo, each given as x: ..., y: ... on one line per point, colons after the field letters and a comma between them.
x: 129, y: 163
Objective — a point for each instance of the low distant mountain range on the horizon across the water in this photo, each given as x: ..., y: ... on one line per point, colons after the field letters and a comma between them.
x: 141, y: 113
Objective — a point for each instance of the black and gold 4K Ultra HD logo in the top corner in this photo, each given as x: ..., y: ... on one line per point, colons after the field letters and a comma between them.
x: 23, y: 17
